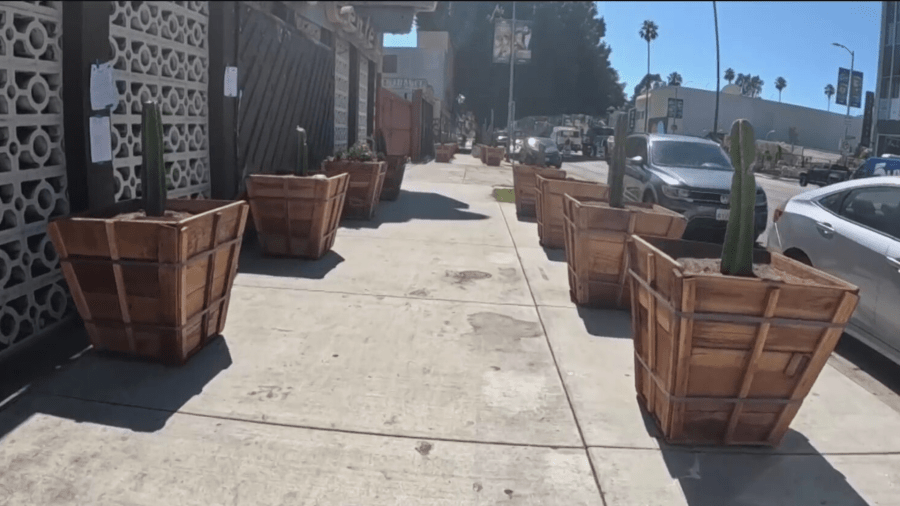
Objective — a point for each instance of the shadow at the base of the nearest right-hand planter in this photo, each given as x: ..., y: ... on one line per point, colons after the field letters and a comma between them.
x: 740, y: 475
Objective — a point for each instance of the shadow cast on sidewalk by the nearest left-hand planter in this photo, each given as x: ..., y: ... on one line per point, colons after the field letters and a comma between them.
x: 99, y: 378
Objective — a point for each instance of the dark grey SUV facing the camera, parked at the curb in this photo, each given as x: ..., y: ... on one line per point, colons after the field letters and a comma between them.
x: 689, y: 175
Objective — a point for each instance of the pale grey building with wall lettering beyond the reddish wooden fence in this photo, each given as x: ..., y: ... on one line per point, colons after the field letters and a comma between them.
x: 429, y: 67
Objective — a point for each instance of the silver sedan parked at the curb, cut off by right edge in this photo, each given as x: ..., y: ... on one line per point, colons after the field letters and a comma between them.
x: 851, y: 230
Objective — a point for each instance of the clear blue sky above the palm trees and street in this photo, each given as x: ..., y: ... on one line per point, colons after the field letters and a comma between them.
x: 770, y: 39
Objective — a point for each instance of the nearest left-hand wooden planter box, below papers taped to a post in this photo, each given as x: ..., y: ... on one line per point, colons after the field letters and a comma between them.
x: 152, y: 287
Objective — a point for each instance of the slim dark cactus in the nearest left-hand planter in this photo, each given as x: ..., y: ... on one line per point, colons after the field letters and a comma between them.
x: 153, y: 169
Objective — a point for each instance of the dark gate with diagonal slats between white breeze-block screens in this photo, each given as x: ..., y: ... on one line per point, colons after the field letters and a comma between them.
x: 287, y: 81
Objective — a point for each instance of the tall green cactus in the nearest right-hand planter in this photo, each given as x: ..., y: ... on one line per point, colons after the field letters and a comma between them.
x: 737, y: 253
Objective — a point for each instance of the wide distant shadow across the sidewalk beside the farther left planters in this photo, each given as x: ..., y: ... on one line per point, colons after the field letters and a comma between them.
x: 413, y: 205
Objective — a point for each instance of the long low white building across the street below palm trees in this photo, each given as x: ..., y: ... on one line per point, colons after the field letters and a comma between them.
x: 816, y: 129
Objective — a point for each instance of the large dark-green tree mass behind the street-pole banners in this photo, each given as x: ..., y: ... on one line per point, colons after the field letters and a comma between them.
x: 579, y: 80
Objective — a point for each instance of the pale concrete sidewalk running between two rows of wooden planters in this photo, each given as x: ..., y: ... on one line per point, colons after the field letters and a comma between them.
x: 433, y: 358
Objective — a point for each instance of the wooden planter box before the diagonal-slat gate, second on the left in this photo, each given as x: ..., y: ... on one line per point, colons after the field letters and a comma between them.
x: 296, y: 216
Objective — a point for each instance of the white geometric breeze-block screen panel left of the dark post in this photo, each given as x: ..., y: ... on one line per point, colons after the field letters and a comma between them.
x: 33, y: 298
